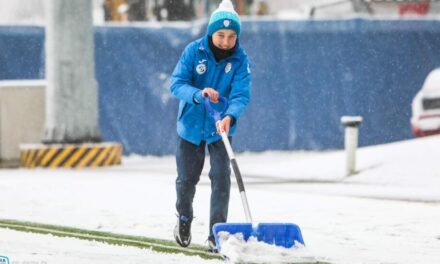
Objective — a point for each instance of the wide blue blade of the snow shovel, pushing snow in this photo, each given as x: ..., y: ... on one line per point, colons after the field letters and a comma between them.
x: 278, y: 234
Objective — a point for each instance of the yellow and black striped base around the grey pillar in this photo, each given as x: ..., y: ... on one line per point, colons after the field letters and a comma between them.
x: 70, y: 155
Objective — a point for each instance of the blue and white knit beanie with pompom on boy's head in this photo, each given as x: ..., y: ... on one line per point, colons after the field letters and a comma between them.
x: 224, y: 17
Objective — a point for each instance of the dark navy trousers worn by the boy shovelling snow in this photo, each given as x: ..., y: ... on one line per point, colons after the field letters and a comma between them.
x: 190, y: 159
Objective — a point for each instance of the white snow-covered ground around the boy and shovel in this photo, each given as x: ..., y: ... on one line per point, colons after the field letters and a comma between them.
x: 387, y: 213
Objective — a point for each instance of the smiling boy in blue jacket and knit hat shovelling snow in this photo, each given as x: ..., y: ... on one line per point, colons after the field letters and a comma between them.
x: 212, y: 66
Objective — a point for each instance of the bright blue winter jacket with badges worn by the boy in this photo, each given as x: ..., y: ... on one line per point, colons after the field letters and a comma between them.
x: 198, y: 69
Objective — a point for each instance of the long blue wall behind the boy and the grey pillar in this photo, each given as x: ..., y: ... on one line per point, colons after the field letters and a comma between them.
x: 306, y: 75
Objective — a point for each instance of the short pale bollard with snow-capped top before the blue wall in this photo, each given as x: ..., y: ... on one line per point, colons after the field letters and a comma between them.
x: 351, y: 124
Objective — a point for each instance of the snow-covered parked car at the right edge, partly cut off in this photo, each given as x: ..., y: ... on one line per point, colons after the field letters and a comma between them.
x: 425, y: 118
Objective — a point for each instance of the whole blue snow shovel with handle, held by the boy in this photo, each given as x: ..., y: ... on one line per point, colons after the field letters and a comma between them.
x: 279, y: 234
